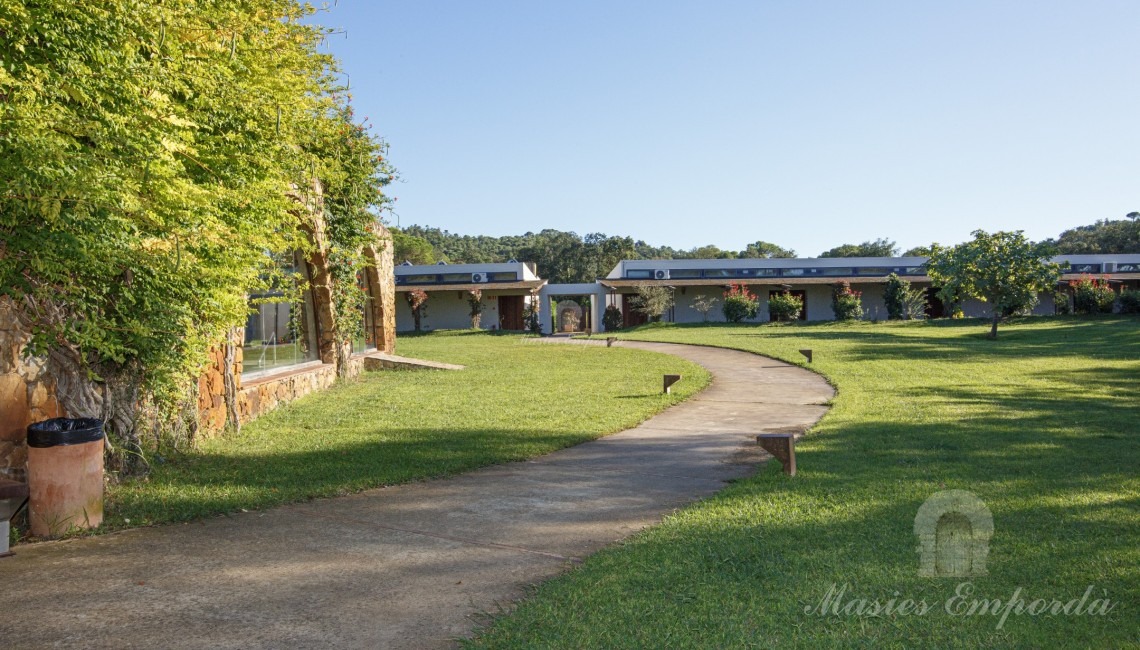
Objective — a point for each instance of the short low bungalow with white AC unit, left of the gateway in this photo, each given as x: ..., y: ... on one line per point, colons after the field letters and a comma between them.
x: 507, y: 290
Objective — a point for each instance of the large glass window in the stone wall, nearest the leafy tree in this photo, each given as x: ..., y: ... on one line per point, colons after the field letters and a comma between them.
x: 280, y: 331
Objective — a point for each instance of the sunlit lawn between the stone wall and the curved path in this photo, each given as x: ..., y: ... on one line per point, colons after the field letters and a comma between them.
x: 515, y: 401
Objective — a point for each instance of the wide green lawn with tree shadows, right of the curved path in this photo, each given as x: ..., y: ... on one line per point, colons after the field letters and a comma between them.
x: 1041, y: 425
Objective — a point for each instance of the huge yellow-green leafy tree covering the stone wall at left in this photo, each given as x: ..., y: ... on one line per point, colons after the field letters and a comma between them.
x: 151, y: 156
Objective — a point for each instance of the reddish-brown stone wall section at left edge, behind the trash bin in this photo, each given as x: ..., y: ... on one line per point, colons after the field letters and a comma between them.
x: 28, y: 395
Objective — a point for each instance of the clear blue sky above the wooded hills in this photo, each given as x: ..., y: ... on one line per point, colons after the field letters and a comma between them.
x: 809, y: 125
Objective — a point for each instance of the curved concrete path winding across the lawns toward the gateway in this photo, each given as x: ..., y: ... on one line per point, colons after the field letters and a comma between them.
x: 409, y: 566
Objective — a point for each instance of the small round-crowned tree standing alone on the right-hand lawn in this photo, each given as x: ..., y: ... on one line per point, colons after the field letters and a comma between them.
x: 1005, y: 270
